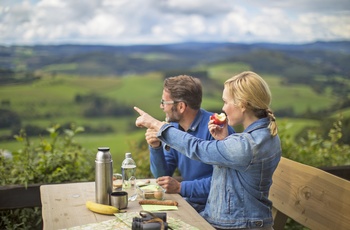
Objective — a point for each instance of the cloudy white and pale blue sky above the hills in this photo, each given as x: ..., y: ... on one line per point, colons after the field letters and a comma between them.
x: 124, y: 22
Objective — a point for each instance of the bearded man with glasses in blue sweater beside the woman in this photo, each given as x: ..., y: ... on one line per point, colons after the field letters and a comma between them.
x: 181, y: 102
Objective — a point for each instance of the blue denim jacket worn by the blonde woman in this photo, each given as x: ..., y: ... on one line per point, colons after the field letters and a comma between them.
x: 243, y: 167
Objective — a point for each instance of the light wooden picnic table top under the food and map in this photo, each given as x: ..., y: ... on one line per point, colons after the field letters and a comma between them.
x: 63, y: 206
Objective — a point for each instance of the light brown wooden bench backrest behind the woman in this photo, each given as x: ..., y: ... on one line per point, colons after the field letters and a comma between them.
x: 310, y: 196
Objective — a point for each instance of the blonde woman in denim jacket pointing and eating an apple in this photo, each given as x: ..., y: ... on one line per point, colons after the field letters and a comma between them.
x: 243, y: 162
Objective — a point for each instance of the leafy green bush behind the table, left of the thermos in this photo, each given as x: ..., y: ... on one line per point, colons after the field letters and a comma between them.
x: 56, y: 160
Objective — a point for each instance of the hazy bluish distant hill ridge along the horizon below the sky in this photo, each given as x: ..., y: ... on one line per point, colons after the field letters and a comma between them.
x: 98, y: 60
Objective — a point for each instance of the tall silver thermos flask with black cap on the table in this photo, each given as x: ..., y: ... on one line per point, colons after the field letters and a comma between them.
x: 103, y: 175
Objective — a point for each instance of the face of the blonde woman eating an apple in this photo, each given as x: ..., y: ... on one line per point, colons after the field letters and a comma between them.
x: 233, y: 112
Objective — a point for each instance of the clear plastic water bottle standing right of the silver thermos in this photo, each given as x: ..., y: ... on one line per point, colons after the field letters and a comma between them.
x: 129, y: 179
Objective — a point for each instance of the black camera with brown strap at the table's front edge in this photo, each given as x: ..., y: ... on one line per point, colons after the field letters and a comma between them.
x: 150, y: 221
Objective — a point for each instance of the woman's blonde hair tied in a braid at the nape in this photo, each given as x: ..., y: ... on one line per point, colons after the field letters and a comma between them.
x: 251, y: 91
